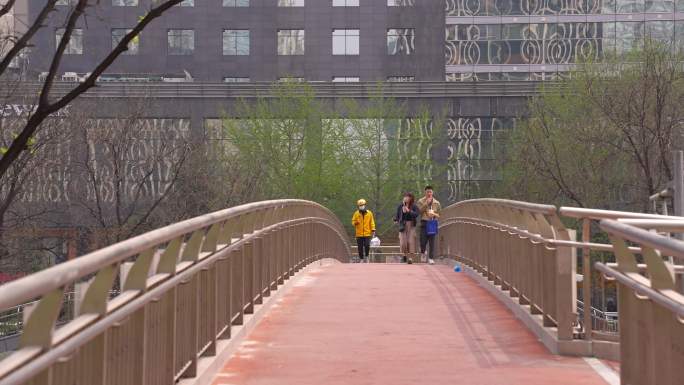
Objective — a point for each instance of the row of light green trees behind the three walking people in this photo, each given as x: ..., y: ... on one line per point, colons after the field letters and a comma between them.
x: 298, y: 147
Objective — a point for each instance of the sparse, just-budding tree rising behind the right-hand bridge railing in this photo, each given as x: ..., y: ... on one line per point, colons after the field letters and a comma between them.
x: 603, y: 137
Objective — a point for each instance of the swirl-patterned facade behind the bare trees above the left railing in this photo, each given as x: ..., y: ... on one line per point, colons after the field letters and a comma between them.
x: 61, y: 178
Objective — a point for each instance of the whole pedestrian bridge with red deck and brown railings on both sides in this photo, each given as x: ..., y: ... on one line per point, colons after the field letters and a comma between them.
x: 261, y: 294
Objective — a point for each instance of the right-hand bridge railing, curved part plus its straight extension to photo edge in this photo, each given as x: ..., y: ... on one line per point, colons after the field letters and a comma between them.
x: 525, y: 248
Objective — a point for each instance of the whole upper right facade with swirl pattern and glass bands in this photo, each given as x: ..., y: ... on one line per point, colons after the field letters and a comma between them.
x: 489, y: 40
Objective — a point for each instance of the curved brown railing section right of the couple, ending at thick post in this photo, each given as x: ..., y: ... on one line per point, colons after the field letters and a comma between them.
x: 513, y: 244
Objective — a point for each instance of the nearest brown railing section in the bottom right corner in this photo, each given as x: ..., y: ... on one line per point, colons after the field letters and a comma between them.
x: 651, y: 308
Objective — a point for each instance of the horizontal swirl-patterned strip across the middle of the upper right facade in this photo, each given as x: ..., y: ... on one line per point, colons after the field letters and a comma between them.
x: 549, y: 43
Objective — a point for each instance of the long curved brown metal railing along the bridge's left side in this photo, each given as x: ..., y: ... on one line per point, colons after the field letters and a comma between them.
x: 188, y: 283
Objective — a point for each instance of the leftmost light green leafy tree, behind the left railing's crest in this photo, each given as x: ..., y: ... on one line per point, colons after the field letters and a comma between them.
x: 283, y: 139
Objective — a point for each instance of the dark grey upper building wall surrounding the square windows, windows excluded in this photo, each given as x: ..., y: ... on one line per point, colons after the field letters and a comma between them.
x: 262, y: 18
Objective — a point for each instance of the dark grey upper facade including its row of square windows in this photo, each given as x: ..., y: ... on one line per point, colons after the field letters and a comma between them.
x: 257, y: 40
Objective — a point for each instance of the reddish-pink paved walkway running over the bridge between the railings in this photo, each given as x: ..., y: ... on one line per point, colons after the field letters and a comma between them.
x: 395, y: 324
